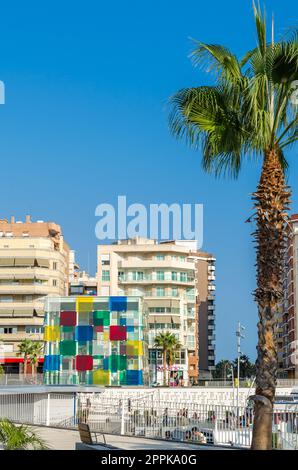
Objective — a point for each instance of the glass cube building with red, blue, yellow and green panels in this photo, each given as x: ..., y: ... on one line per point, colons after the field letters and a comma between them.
x: 95, y: 340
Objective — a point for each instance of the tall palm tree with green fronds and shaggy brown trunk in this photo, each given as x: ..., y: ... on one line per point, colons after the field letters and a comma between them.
x: 250, y: 111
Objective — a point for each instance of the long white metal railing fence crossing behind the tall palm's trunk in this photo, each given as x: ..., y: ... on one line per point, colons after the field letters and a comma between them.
x: 147, y: 416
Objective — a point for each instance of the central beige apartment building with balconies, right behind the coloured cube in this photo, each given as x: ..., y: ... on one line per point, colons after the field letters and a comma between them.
x: 164, y: 274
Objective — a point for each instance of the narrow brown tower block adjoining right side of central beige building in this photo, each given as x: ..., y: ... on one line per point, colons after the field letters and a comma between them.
x: 205, y: 284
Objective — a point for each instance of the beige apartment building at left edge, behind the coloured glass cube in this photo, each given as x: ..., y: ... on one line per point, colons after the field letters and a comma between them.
x: 33, y: 264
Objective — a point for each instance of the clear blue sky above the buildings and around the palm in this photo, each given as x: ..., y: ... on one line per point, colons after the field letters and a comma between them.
x: 85, y: 120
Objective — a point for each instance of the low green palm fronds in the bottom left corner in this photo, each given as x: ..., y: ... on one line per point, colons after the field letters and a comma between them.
x: 14, y: 437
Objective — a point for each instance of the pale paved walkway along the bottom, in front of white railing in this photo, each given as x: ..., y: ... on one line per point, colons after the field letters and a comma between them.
x: 62, y: 439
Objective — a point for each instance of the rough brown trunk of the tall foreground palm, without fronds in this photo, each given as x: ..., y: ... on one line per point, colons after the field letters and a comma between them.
x: 271, y: 202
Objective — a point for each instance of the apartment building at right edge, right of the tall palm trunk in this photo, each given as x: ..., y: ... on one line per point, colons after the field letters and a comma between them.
x: 286, y: 324
